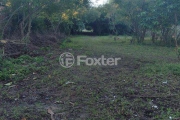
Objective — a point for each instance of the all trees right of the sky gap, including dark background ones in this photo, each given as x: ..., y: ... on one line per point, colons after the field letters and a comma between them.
x: 159, y: 19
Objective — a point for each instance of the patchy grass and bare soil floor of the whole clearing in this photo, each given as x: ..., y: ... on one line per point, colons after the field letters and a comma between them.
x: 135, y: 89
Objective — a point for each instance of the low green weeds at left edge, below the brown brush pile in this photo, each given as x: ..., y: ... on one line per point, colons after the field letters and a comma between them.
x: 17, y: 69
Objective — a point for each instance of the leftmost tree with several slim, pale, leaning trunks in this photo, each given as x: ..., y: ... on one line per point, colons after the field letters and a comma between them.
x: 22, y: 13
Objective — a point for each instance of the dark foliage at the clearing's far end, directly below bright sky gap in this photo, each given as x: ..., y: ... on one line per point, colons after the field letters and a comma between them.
x: 106, y: 20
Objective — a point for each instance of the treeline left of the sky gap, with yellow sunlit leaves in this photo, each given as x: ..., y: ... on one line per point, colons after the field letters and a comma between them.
x: 20, y: 18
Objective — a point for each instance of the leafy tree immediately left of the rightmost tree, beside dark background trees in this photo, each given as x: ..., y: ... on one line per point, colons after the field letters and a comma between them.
x: 133, y: 12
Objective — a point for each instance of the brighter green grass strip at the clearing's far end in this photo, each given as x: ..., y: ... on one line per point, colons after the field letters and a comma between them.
x: 108, y: 45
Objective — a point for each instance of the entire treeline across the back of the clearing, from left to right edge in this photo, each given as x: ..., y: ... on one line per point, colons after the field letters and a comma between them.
x: 158, y: 18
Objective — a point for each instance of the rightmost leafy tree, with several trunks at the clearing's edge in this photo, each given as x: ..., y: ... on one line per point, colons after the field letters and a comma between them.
x: 163, y: 17
